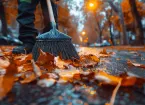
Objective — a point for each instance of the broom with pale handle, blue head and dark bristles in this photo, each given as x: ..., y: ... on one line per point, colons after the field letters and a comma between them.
x: 54, y: 42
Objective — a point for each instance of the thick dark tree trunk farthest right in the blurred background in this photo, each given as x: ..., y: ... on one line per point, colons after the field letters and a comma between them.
x: 138, y: 23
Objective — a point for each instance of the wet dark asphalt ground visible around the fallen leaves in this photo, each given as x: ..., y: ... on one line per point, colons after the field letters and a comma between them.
x: 89, y: 93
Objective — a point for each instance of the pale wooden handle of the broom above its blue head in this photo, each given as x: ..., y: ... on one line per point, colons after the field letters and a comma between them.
x: 50, y: 11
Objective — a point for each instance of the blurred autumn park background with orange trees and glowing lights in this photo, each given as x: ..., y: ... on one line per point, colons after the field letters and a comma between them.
x: 88, y: 22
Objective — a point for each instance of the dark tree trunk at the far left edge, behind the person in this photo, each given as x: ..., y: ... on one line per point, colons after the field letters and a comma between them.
x: 3, y: 19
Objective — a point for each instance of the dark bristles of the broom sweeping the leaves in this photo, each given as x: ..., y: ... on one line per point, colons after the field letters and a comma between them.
x: 63, y: 48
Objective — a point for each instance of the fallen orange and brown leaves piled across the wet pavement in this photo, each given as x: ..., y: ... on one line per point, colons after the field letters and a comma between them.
x: 49, y: 70
